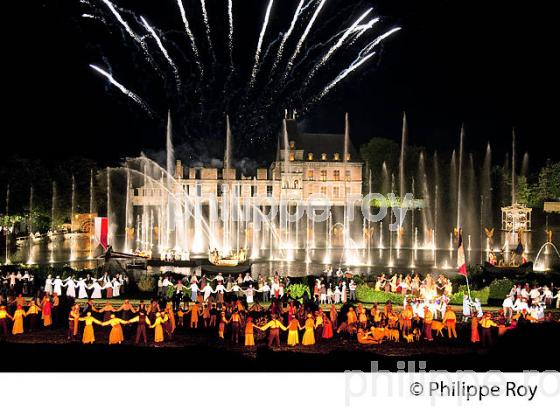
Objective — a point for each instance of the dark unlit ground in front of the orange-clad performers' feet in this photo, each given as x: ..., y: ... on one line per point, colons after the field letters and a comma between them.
x: 535, y: 347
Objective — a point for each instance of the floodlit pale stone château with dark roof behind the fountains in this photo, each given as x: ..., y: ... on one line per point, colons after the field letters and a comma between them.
x: 306, y: 165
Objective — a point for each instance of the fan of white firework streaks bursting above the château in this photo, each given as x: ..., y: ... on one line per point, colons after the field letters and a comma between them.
x: 295, y: 68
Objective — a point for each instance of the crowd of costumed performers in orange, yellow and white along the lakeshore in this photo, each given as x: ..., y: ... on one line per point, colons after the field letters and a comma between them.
x: 231, y: 309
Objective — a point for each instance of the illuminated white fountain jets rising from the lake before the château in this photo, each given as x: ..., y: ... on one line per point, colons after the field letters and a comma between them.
x: 178, y: 220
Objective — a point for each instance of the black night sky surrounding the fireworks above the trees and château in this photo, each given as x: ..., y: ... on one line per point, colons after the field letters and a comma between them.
x: 486, y: 63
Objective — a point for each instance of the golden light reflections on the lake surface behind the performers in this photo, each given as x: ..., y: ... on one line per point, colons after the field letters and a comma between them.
x: 75, y: 250
